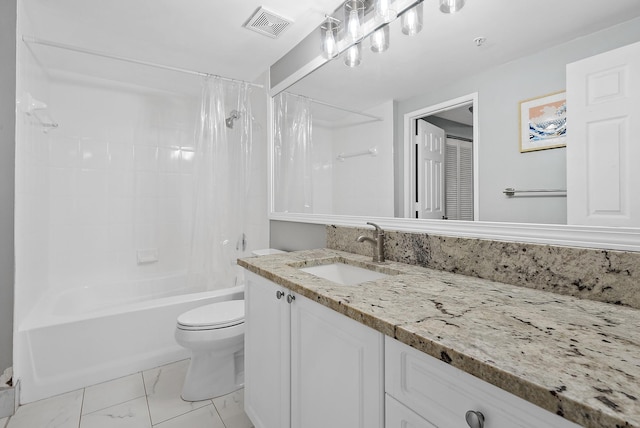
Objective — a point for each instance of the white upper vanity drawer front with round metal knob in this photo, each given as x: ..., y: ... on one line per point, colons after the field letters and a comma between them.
x: 442, y: 394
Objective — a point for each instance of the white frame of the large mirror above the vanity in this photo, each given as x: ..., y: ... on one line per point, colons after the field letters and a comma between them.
x: 599, y: 237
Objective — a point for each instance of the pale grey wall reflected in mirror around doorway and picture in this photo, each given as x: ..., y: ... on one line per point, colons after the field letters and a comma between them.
x: 500, y: 91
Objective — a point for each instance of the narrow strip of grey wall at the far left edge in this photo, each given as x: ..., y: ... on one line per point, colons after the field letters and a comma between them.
x: 8, y: 17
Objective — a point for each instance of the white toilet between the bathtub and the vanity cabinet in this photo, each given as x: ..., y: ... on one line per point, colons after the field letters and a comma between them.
x: 214, y: 334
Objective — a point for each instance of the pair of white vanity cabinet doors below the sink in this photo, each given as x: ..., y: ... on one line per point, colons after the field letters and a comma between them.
x: 307, y: 366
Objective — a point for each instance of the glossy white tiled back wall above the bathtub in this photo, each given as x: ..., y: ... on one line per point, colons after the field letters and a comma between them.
x: 120, y: 178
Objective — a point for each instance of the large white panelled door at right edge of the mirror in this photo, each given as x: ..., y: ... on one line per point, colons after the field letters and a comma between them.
x: 603, y: 146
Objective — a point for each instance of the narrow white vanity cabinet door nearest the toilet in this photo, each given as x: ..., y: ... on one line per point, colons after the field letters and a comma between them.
x: 267, y: 353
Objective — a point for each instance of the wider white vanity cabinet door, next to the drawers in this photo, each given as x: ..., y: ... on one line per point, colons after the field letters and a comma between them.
x: 336, y: 370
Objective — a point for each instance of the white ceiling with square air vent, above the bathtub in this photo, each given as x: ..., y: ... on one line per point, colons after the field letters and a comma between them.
x: 202, y: 35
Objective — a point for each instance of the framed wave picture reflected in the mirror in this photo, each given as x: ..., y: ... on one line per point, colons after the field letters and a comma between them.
x: 543, y: 122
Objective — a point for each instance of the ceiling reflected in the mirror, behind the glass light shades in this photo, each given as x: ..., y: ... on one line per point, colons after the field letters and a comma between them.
x: 445, y: 51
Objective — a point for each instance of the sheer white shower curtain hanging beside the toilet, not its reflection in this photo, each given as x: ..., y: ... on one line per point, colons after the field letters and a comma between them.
x: 221, y: 184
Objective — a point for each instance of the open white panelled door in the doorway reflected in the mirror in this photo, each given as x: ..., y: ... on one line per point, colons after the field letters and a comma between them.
x: 430, y: 146
